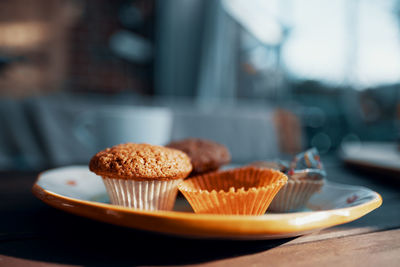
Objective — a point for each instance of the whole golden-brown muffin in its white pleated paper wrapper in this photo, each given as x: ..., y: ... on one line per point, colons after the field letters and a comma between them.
x: 141, y: 176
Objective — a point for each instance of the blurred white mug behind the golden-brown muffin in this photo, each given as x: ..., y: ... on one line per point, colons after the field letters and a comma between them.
x: 112, y: 125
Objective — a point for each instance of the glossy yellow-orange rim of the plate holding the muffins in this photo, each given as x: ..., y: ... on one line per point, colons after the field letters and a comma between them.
x: 206, y: 225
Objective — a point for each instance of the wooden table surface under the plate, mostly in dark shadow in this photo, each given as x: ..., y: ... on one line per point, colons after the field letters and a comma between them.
x: 34, y: 234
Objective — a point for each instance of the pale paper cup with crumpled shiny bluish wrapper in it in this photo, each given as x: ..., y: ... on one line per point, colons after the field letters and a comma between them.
x: 306, y: 176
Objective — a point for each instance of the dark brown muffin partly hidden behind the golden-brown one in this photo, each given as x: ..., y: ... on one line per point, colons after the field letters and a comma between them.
x: 205, y: 155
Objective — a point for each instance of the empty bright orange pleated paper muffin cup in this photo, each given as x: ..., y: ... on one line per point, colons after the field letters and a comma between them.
x: 241, y: 191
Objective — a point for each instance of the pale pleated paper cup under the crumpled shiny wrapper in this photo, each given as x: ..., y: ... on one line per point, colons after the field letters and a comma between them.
x: 295, y: 195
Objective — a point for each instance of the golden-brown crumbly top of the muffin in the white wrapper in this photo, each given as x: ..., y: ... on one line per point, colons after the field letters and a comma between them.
x: 141, y: 162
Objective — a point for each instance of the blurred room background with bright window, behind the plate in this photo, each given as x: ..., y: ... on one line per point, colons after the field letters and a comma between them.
x: 265, y: 78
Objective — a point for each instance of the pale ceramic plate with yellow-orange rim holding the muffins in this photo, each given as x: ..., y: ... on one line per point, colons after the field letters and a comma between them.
x: 76, y: 190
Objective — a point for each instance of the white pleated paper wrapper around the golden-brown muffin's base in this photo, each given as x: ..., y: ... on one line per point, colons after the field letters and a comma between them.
x: 145, y: 195
